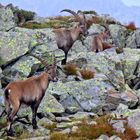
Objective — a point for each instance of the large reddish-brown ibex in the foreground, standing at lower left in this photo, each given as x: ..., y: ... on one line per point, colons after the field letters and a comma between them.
x: 29, y: 92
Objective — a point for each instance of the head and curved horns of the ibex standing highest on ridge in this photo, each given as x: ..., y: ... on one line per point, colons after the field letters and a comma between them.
x: 80, y: 17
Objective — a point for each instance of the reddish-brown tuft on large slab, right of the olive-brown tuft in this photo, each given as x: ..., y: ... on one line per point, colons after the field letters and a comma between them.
x: 87, y: 74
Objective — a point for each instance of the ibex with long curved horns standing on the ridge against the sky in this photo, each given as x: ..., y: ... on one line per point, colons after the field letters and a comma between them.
x: 65, y: 38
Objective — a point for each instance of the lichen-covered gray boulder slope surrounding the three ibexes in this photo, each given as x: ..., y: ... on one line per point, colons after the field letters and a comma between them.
x: 114, y: 89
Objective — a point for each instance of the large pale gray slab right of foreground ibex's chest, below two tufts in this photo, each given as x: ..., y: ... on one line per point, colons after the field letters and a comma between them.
x: 87, y: 95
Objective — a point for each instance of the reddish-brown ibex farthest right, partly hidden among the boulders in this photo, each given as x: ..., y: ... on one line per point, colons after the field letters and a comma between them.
x: 98, y: 44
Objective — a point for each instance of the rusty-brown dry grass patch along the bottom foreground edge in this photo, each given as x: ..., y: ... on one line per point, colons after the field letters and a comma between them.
x: 92, y: 131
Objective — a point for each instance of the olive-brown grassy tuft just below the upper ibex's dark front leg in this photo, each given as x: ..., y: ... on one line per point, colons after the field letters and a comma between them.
x: 70, y: 69
